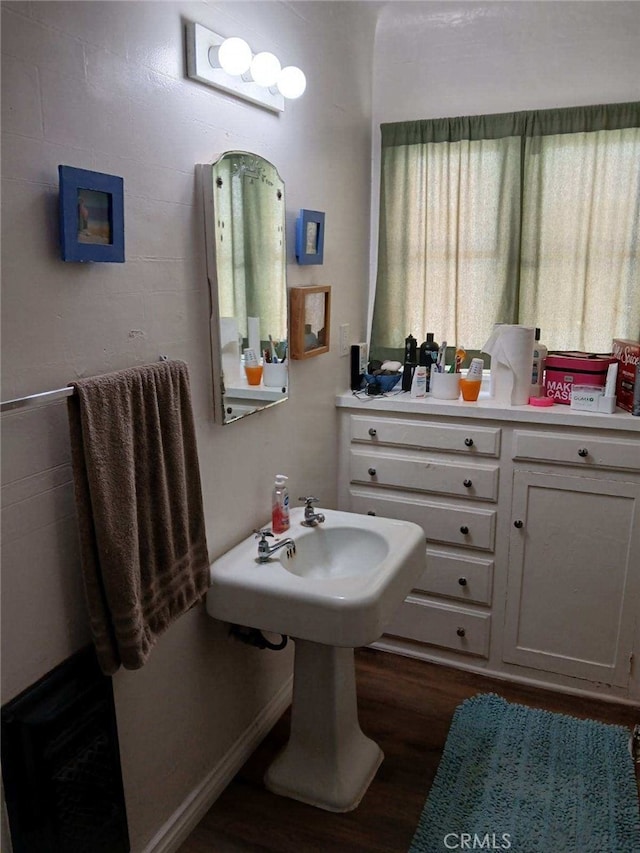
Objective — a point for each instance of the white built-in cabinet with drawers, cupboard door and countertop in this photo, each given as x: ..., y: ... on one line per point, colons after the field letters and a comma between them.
x: 532, y: 535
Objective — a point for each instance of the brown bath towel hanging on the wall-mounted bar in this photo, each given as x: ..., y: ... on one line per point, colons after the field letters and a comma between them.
x: 139, y: 502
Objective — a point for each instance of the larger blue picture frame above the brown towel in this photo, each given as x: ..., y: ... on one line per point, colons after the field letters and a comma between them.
x: 91, y: 216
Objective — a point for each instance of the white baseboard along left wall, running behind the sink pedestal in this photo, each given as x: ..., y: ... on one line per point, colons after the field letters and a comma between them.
x: 185, y: 818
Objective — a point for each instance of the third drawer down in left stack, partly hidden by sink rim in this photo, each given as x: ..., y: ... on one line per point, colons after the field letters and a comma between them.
x: 441, y: 522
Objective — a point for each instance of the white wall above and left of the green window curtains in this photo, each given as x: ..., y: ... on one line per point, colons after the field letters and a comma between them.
x: 470, y: 58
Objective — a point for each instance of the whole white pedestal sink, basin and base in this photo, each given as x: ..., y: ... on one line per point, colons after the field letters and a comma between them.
x: 338, y: 591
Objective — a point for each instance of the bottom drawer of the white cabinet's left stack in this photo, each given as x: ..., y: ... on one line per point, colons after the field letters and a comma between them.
x: 442, y: 625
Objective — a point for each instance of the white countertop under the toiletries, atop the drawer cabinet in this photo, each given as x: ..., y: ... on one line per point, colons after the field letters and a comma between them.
x: 486, y: 408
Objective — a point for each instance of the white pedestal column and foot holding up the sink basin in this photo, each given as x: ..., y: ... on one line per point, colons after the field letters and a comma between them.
x: 328, y: 761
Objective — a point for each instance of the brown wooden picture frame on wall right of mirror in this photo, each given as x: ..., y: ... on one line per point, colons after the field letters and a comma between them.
x: 310, y: 319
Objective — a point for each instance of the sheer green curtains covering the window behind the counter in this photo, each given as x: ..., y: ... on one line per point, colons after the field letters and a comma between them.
x: 527, y: 217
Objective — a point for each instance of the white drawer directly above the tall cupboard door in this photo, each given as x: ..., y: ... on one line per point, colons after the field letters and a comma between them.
x: 578, y: 449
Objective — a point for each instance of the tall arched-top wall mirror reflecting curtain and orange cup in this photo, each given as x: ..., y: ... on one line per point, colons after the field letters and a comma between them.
x: 244, y: 212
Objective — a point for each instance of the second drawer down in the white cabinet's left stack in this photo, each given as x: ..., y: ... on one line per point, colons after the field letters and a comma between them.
x: 421, y: 473
